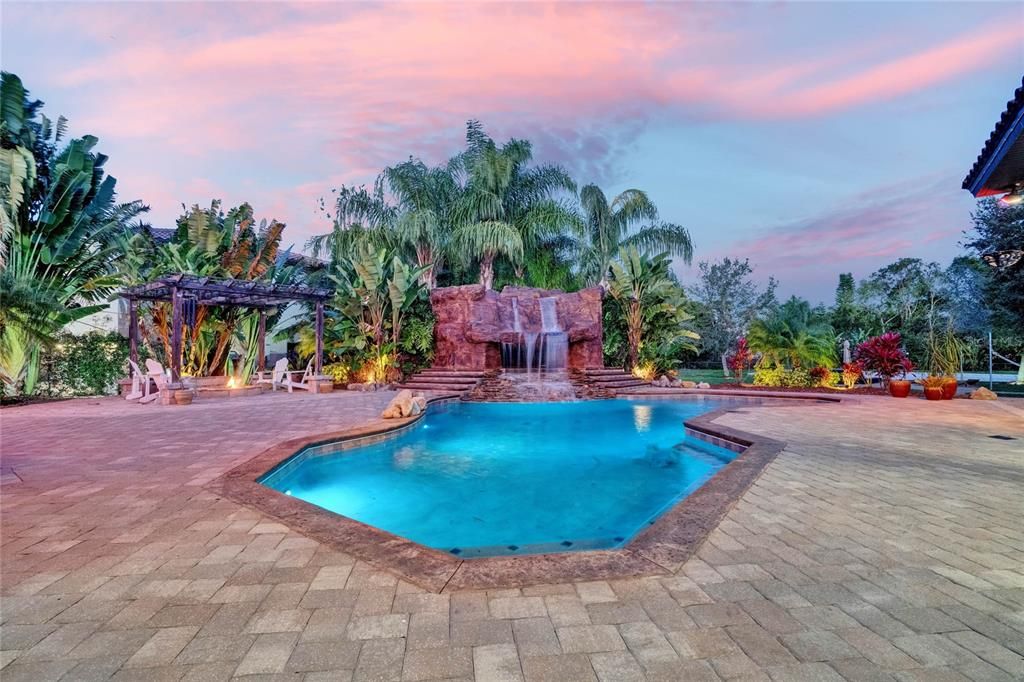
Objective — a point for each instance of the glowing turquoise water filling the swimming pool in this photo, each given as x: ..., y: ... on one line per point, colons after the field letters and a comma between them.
x: 489, y: 480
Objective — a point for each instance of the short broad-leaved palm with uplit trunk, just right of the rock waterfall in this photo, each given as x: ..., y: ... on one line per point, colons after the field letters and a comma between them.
x: 644, y: 288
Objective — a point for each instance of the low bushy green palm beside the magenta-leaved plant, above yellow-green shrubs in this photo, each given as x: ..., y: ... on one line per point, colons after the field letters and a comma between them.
x: 791, y: 337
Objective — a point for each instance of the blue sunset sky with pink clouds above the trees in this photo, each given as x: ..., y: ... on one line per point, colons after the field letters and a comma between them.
x: 813, y: 139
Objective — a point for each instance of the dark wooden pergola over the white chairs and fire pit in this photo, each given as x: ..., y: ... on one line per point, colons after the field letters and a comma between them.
x: 220, y: 292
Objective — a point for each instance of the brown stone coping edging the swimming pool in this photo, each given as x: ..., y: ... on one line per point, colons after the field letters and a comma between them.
x: 659, y: 550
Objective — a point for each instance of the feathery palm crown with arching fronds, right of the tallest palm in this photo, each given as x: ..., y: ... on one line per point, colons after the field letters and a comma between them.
x: 631, y: 220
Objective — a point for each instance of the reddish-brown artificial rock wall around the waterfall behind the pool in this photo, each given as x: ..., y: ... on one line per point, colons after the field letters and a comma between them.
x: 474, y: 322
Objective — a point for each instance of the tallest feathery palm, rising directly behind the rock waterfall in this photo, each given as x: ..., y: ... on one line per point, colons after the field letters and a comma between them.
x: 507, y: 209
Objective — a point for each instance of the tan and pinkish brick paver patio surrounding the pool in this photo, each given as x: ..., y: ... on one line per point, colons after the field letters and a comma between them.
x: 885, y: 543
